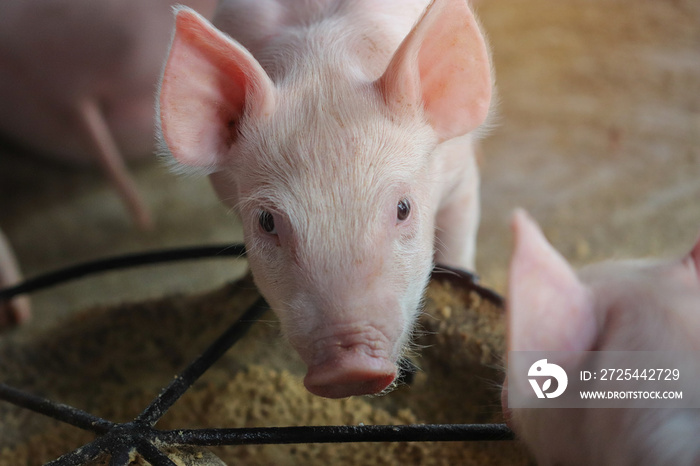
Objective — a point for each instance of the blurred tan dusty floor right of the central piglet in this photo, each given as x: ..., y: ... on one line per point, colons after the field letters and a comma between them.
x: 599, y: 134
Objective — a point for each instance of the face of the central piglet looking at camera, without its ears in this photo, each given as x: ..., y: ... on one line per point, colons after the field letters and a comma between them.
x: 339, y: 237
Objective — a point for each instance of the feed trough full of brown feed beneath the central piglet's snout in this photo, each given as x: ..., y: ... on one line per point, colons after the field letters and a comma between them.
x: 107, y: 368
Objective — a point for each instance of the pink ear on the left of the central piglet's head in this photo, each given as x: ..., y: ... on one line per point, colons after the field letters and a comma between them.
x: 209, y: 83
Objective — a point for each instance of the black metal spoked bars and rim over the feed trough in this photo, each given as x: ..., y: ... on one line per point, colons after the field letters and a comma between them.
x: 140, y: 435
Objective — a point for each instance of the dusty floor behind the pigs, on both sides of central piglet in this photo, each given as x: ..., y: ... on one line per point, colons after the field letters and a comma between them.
x: 598, y: 136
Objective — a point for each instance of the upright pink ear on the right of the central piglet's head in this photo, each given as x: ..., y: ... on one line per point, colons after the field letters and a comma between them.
x: 442, y: 64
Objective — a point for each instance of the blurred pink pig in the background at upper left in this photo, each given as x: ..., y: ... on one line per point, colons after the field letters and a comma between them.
x: 77, y: 80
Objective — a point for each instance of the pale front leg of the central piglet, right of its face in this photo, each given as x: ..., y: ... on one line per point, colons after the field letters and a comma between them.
x: 457, y: 222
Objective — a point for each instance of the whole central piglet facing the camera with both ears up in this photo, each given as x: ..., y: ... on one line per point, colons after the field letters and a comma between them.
x: 341, y: 134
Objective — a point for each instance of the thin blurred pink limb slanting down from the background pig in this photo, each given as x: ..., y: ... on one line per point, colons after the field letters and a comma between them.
x: 112, y: 162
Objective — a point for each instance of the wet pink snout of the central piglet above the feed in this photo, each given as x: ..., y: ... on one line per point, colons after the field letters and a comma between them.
x: 350, y: 364
